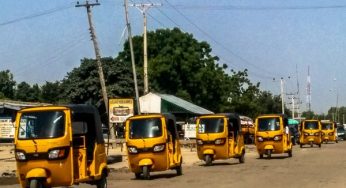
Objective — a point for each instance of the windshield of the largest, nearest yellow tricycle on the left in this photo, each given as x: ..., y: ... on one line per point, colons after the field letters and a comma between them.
x: 40, y: 125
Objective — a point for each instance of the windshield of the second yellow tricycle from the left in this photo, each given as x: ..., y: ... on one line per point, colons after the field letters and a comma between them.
x: 145, y: 128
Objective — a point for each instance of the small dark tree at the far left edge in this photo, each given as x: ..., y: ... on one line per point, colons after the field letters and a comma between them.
x: 7, y: 84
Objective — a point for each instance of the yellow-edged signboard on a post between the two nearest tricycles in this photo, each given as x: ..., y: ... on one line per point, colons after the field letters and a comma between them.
x: 120, y: 110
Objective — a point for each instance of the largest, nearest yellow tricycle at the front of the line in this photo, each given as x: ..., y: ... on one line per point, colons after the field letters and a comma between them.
x: 60, y: 146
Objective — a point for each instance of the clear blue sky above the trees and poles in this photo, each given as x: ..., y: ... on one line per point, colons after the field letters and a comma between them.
x: 42, y: 40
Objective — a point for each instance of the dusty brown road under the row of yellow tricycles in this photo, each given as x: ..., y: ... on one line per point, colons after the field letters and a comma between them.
x: 309, y: 167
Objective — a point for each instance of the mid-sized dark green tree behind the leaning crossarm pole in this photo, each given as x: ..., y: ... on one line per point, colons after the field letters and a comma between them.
x: 82, y: 84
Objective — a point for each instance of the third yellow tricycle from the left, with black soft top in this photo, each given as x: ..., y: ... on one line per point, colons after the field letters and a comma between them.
x: 219, y: 137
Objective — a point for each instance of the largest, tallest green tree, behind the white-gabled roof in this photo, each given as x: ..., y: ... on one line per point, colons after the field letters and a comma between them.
x: 182, y: 66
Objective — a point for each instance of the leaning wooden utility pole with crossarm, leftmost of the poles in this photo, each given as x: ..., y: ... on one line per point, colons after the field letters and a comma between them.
x: 88, y: 7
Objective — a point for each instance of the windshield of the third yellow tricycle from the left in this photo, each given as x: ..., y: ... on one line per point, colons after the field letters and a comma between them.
x: 211, y: 125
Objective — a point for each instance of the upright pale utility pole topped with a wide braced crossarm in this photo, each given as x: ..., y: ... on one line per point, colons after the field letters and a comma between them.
x: 143, y: 7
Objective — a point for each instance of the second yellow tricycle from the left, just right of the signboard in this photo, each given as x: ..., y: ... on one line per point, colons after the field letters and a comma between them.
x: 152, y: 144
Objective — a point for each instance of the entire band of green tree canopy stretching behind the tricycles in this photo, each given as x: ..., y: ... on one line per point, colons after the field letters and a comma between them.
x: 178, y: 64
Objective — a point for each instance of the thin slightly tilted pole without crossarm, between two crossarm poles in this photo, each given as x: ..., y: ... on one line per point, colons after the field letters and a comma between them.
x: 132, y: 55
